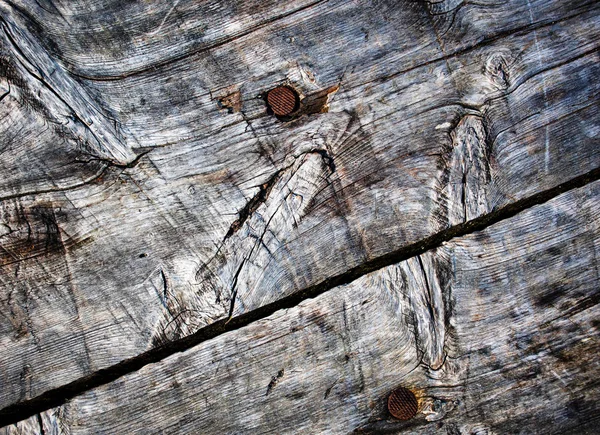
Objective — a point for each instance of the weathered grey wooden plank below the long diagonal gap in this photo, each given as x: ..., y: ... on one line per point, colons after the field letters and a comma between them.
x: 495, y: 332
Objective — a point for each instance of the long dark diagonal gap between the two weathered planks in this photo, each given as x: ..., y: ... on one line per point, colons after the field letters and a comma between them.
x: 58, y: 396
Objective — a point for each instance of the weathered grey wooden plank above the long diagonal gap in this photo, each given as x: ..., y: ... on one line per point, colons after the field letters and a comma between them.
x: 146, y: 192
